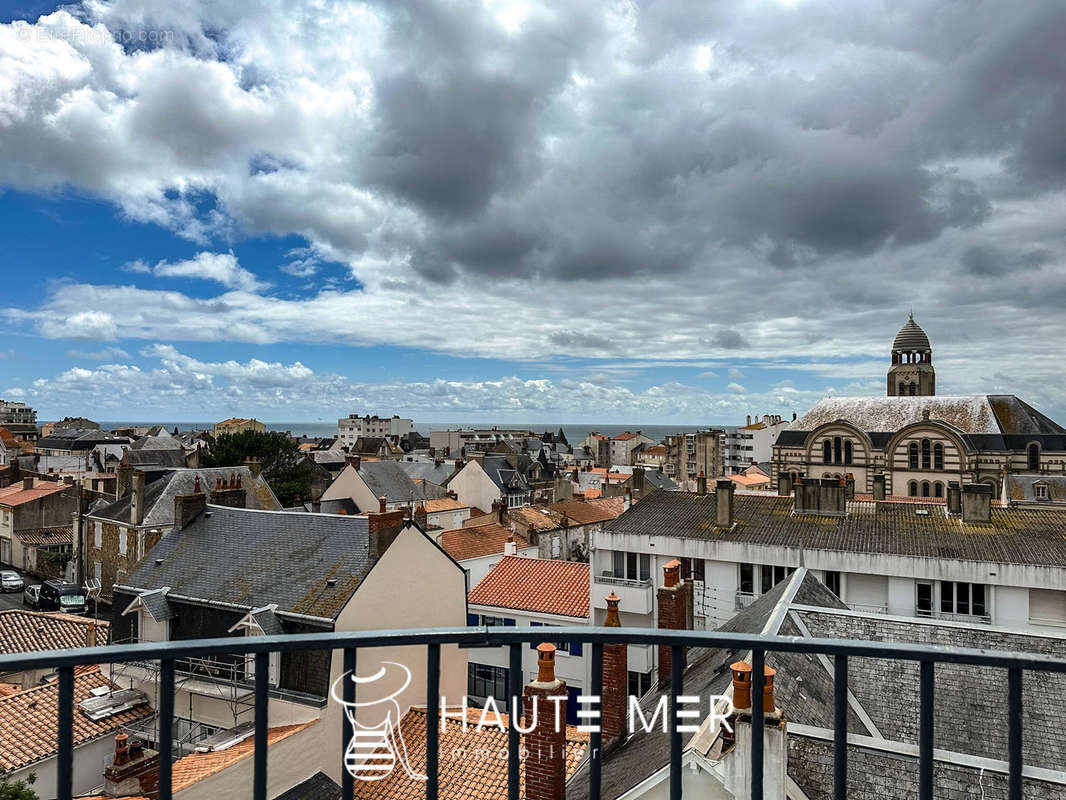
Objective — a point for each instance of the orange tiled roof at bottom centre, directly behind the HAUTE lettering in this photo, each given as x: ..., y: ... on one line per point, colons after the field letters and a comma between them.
x: 470, y: 769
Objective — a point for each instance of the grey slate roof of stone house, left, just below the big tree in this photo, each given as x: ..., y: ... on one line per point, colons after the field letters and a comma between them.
x: 159, y: 495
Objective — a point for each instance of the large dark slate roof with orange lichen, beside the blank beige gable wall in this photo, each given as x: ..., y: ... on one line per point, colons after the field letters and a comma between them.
x: 256, y: 558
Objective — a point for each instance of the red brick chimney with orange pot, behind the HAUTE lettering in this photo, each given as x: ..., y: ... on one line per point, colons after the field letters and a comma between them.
x: 545, y: 764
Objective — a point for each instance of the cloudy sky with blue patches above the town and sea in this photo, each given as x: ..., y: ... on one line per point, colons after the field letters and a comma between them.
x: 500, y: 211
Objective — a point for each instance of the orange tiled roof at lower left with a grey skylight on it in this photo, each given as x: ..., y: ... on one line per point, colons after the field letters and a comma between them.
x: 28, y: 721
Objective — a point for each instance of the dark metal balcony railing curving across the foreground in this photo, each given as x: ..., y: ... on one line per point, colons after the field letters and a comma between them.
x: 518, y: 641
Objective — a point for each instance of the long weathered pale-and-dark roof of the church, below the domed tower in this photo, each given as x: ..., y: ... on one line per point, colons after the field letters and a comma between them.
x: 973, y: 414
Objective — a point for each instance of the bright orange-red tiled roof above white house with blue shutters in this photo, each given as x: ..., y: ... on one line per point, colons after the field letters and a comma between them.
x: 547, y: 586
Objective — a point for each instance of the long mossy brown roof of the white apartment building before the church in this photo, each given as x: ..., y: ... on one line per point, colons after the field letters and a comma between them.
x: 1019, y: 536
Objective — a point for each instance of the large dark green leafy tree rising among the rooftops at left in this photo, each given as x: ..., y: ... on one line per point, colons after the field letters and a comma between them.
x: 284, y: 467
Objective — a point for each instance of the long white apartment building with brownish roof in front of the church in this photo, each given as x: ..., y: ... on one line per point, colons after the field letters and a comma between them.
x: 962, y: 562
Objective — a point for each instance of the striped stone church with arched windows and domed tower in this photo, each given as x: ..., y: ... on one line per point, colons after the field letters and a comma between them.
x: 917, y: 441
